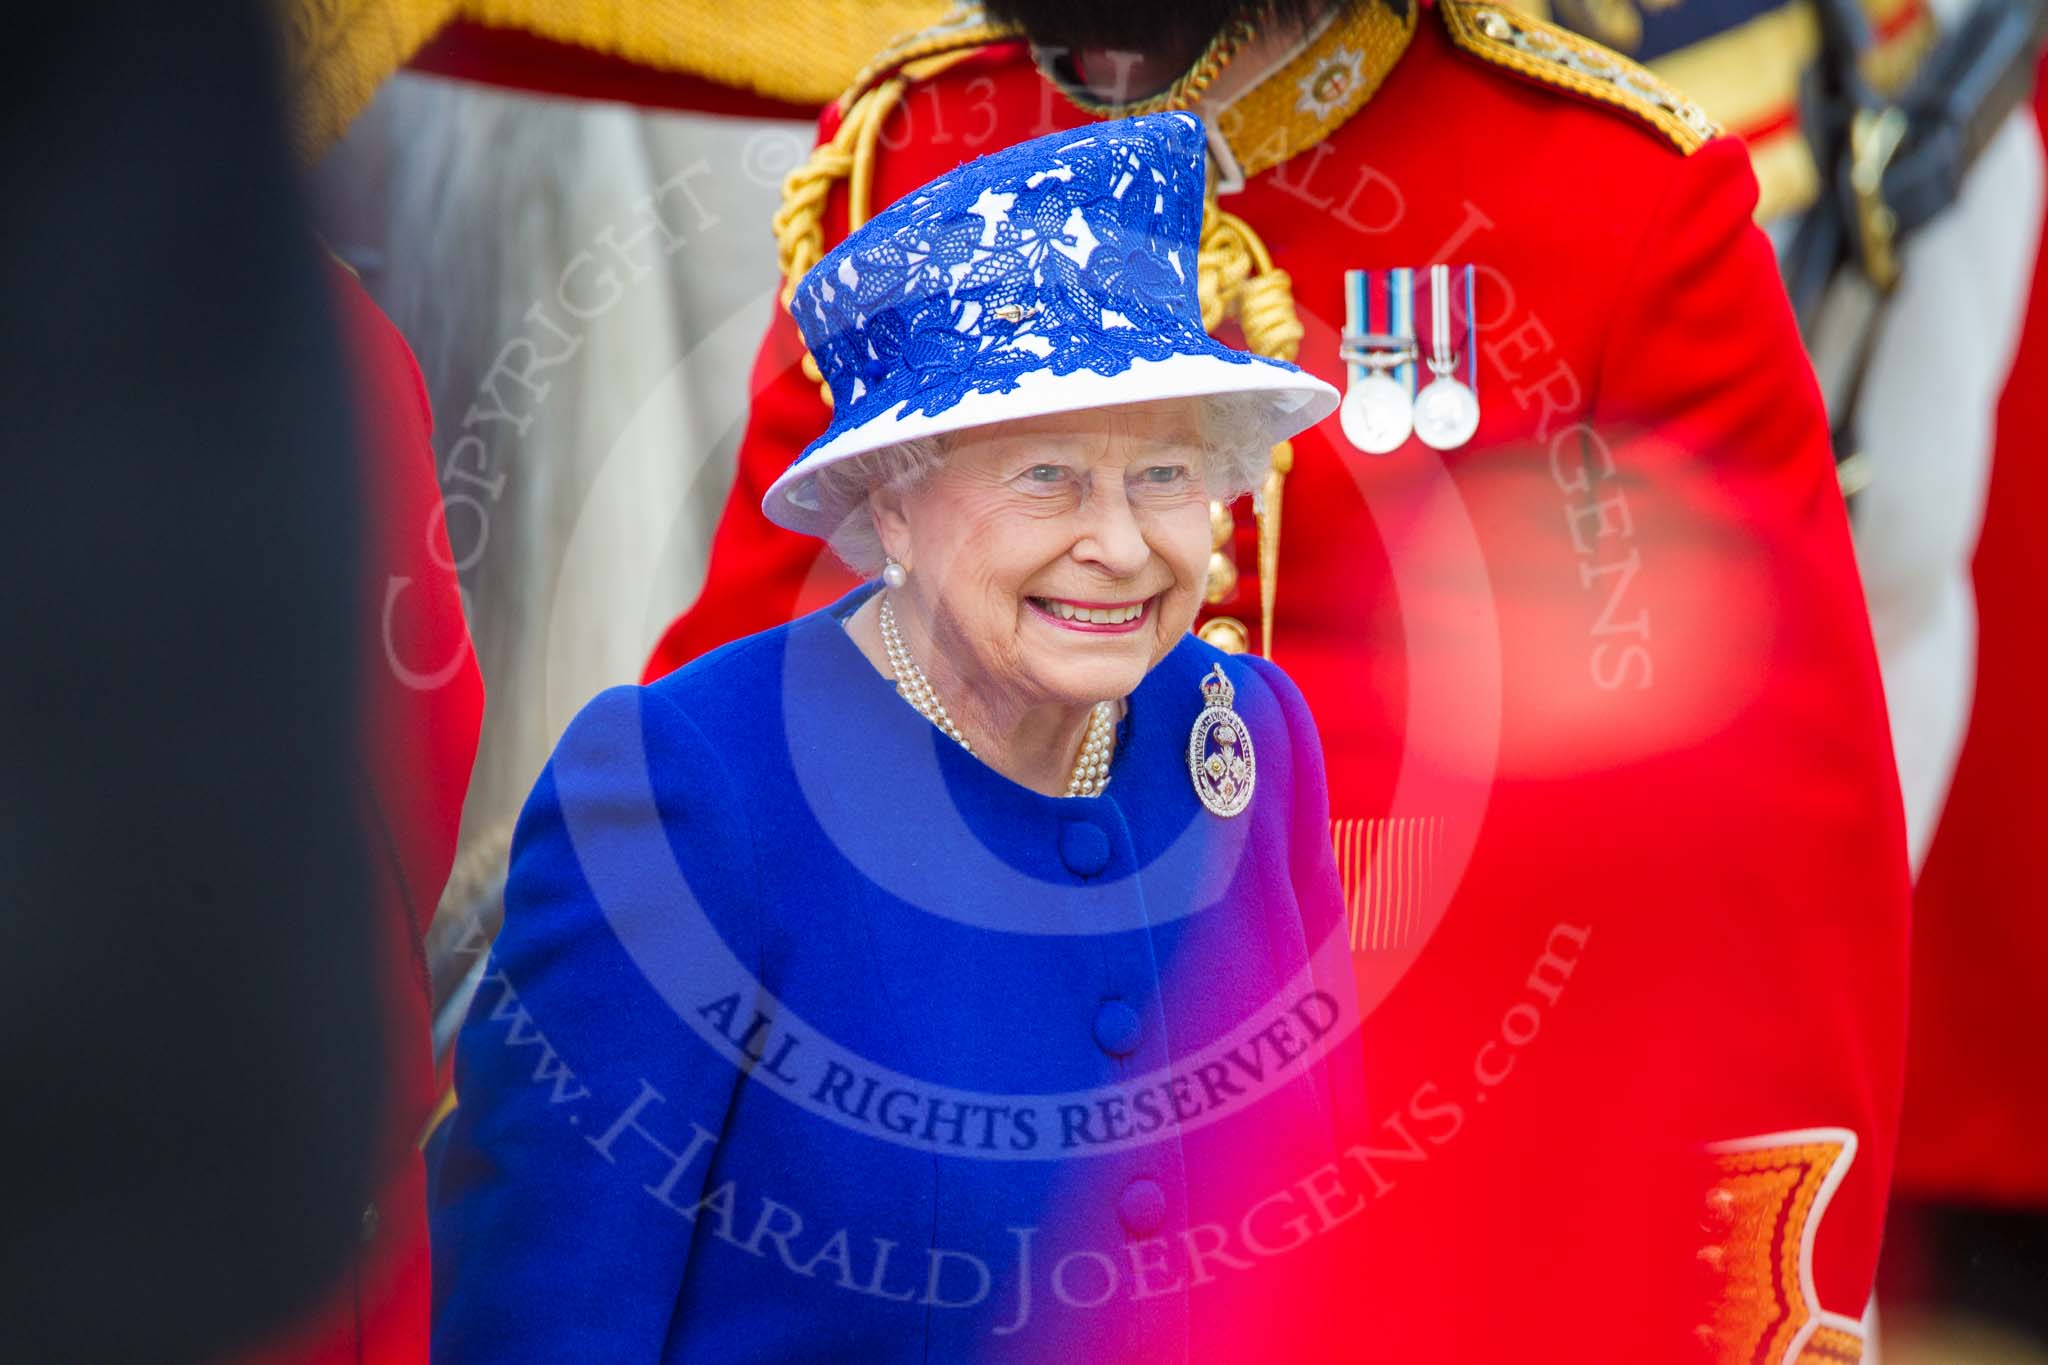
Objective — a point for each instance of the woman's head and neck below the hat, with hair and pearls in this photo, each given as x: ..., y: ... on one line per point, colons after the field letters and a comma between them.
x: 1058, y: 560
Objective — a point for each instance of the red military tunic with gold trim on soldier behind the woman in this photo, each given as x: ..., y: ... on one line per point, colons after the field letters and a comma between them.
x: 1611, y: 781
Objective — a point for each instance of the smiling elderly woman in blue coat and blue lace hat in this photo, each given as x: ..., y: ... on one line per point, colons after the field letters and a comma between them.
x: 955, y: 973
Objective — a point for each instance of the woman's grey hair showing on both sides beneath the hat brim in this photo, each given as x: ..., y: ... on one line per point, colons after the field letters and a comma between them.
x: 1234, y: 445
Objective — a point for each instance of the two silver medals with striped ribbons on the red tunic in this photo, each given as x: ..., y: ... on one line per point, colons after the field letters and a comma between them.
x: 1383, y: 355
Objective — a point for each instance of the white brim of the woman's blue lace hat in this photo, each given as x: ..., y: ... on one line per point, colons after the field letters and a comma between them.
x: 1295, y: 402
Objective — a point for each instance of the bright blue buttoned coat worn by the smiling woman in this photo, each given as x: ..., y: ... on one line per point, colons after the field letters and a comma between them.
x: 808, y: 1037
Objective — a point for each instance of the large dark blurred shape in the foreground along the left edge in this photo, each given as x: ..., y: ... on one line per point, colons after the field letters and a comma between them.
x: 189, y: 1032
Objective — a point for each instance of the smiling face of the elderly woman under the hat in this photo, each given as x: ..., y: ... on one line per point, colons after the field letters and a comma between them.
x: 1058, y: 560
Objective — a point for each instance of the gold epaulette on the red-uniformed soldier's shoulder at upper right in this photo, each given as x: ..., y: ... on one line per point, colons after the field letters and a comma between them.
x: 1560, y: 58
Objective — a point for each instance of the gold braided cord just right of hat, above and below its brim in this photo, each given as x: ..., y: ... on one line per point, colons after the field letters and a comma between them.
x: 1240, y: 283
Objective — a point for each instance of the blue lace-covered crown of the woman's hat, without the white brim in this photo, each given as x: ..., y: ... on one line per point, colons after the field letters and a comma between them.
x: 1060, y: 255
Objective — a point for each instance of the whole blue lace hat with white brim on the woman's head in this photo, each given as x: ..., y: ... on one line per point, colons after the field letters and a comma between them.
x: 1050, y: 277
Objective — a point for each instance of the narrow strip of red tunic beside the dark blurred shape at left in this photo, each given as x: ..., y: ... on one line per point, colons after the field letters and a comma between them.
x: 423, y: 707
